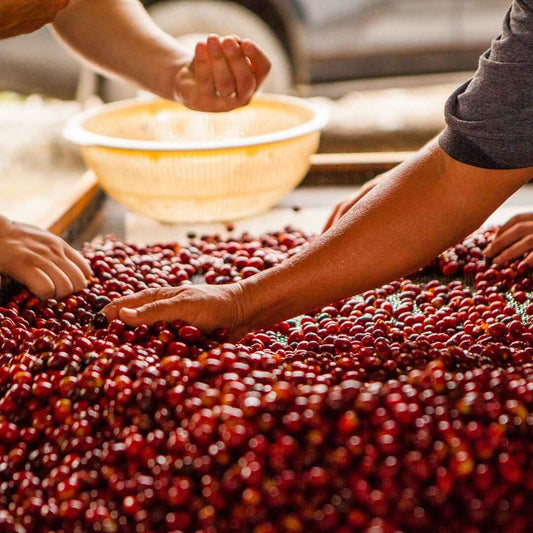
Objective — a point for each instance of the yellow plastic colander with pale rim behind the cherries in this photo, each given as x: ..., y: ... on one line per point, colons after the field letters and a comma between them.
x: 160, y: 159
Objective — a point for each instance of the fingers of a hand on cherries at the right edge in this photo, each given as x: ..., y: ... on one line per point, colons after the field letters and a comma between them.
x: 513, y: 240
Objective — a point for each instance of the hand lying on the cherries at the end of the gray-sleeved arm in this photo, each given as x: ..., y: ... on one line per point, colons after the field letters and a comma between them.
x: 208, y: 307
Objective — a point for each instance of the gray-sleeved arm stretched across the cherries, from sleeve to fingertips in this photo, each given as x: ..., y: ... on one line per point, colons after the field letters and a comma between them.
x: 425, y: 205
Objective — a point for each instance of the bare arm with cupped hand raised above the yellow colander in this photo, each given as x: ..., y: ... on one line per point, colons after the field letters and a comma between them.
x: 118, y: 37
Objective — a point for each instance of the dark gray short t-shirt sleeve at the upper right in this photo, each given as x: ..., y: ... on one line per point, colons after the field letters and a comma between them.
x: 490, y: 118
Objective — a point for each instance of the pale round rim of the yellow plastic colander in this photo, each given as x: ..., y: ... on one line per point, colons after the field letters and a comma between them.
x: 76, y: 133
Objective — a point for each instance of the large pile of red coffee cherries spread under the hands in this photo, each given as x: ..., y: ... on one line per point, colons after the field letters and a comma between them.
x: 406, y: 408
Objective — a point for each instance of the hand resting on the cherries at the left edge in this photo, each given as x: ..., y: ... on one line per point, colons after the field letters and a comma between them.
x: 46, y: 264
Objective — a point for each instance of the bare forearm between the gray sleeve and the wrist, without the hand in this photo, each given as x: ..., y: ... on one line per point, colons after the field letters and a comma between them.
x: 424, y: 206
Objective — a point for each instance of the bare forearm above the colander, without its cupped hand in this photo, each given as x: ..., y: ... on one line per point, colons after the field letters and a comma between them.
x: 118, y: 37
